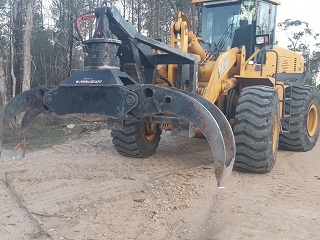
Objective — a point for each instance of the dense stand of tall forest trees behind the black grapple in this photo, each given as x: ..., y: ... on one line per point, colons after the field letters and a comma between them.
x: 36, y: 50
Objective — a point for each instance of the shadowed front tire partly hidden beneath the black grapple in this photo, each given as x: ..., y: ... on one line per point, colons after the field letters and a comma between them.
x: 133, y: 140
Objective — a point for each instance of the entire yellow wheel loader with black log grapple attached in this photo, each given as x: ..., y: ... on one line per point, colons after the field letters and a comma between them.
x: 232, y: 85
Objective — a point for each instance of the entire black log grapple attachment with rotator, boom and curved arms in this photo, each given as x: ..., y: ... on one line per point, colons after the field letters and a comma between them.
x: 103, y: 89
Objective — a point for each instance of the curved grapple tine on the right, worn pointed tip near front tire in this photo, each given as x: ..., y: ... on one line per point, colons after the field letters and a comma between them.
x: 200, y: 112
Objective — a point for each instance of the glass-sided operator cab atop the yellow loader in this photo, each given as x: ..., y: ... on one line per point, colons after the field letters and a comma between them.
x: 238, y: 22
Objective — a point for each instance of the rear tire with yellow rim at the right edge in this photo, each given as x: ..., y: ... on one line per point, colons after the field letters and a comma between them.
x: 304, y: 121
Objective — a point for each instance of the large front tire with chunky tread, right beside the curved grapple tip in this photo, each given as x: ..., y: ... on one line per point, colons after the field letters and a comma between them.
x: 256, y: 129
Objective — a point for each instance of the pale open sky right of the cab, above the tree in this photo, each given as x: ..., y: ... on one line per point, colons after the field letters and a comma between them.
x: 305, y: 10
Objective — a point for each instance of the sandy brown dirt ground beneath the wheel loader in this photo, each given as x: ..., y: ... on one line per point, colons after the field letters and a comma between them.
x: 84, y: 190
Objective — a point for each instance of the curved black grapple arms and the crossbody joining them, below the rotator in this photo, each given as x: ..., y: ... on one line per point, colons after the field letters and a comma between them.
x: 118, y: 102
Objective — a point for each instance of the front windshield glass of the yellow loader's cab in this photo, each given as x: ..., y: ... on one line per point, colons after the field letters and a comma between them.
x: 220, y: 24
